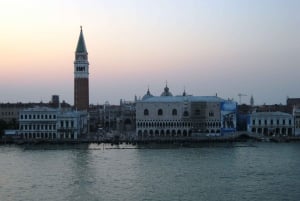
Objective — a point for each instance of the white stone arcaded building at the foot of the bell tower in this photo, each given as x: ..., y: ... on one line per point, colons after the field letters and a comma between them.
x: 51, y: 123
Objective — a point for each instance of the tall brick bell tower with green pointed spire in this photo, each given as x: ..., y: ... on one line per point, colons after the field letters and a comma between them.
x: 81, y: 75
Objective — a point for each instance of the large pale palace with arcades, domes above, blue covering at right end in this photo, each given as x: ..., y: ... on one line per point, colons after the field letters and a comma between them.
x: 184, y: 116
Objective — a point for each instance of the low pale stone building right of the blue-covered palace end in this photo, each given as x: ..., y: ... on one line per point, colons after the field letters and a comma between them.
x: 271, y: 123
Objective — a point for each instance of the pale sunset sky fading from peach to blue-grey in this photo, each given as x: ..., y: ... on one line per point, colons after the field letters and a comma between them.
x: 206, y: 47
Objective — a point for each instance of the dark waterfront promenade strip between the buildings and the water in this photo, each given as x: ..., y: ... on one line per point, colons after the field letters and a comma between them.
x: 120, y: 139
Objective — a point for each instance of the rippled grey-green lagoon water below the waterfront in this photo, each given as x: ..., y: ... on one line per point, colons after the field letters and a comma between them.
x: 239, y: 171
